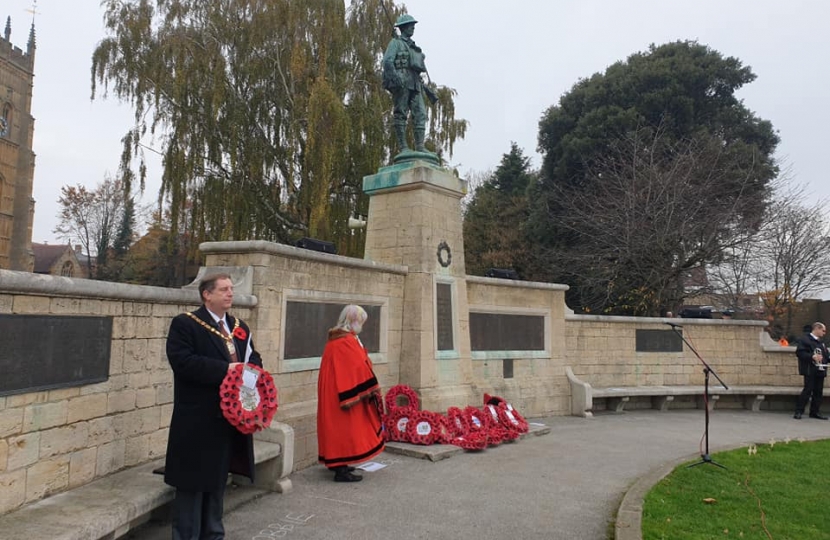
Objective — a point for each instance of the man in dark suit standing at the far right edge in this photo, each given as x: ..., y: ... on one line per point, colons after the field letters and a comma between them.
x: 812, y: 364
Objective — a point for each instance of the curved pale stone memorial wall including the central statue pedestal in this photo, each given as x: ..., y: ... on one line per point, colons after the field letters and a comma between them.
x: 87, y: 390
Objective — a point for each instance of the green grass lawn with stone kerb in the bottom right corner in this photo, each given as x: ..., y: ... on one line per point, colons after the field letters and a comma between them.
x: 781, y: 491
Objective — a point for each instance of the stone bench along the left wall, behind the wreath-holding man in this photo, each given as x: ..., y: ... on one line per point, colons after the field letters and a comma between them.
x: 109, y: 507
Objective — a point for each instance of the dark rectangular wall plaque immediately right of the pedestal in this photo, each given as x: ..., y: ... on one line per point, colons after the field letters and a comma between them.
x: 501, y: 332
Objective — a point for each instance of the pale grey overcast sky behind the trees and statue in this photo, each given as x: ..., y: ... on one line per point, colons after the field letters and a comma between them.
x: 509, y: 61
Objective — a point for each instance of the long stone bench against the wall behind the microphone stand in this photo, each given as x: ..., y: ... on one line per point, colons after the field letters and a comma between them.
x: 583, y: 395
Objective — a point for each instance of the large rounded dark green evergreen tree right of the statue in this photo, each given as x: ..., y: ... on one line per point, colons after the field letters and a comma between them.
x: 612, y: 150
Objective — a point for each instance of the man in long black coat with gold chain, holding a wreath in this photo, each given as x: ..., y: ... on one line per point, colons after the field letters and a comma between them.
x: 202, y: 447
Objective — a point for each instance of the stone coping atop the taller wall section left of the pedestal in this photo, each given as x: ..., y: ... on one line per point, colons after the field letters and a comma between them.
x: 271, y: 248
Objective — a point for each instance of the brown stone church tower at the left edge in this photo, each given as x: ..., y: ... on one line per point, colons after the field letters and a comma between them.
x: 17, y: 160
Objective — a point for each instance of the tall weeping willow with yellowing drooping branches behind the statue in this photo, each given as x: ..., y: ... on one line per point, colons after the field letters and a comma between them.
x: 268, y: 113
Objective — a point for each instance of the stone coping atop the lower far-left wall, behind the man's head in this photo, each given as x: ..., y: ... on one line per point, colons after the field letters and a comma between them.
x: 15, y: 282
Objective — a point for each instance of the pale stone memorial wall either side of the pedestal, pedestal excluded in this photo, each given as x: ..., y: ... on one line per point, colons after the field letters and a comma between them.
x: 54, y: 439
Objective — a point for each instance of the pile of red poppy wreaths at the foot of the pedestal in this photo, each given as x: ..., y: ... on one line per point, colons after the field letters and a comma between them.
x: 469, y: 428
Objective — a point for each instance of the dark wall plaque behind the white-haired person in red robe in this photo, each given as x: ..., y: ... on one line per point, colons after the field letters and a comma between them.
x: 307, y: 325
